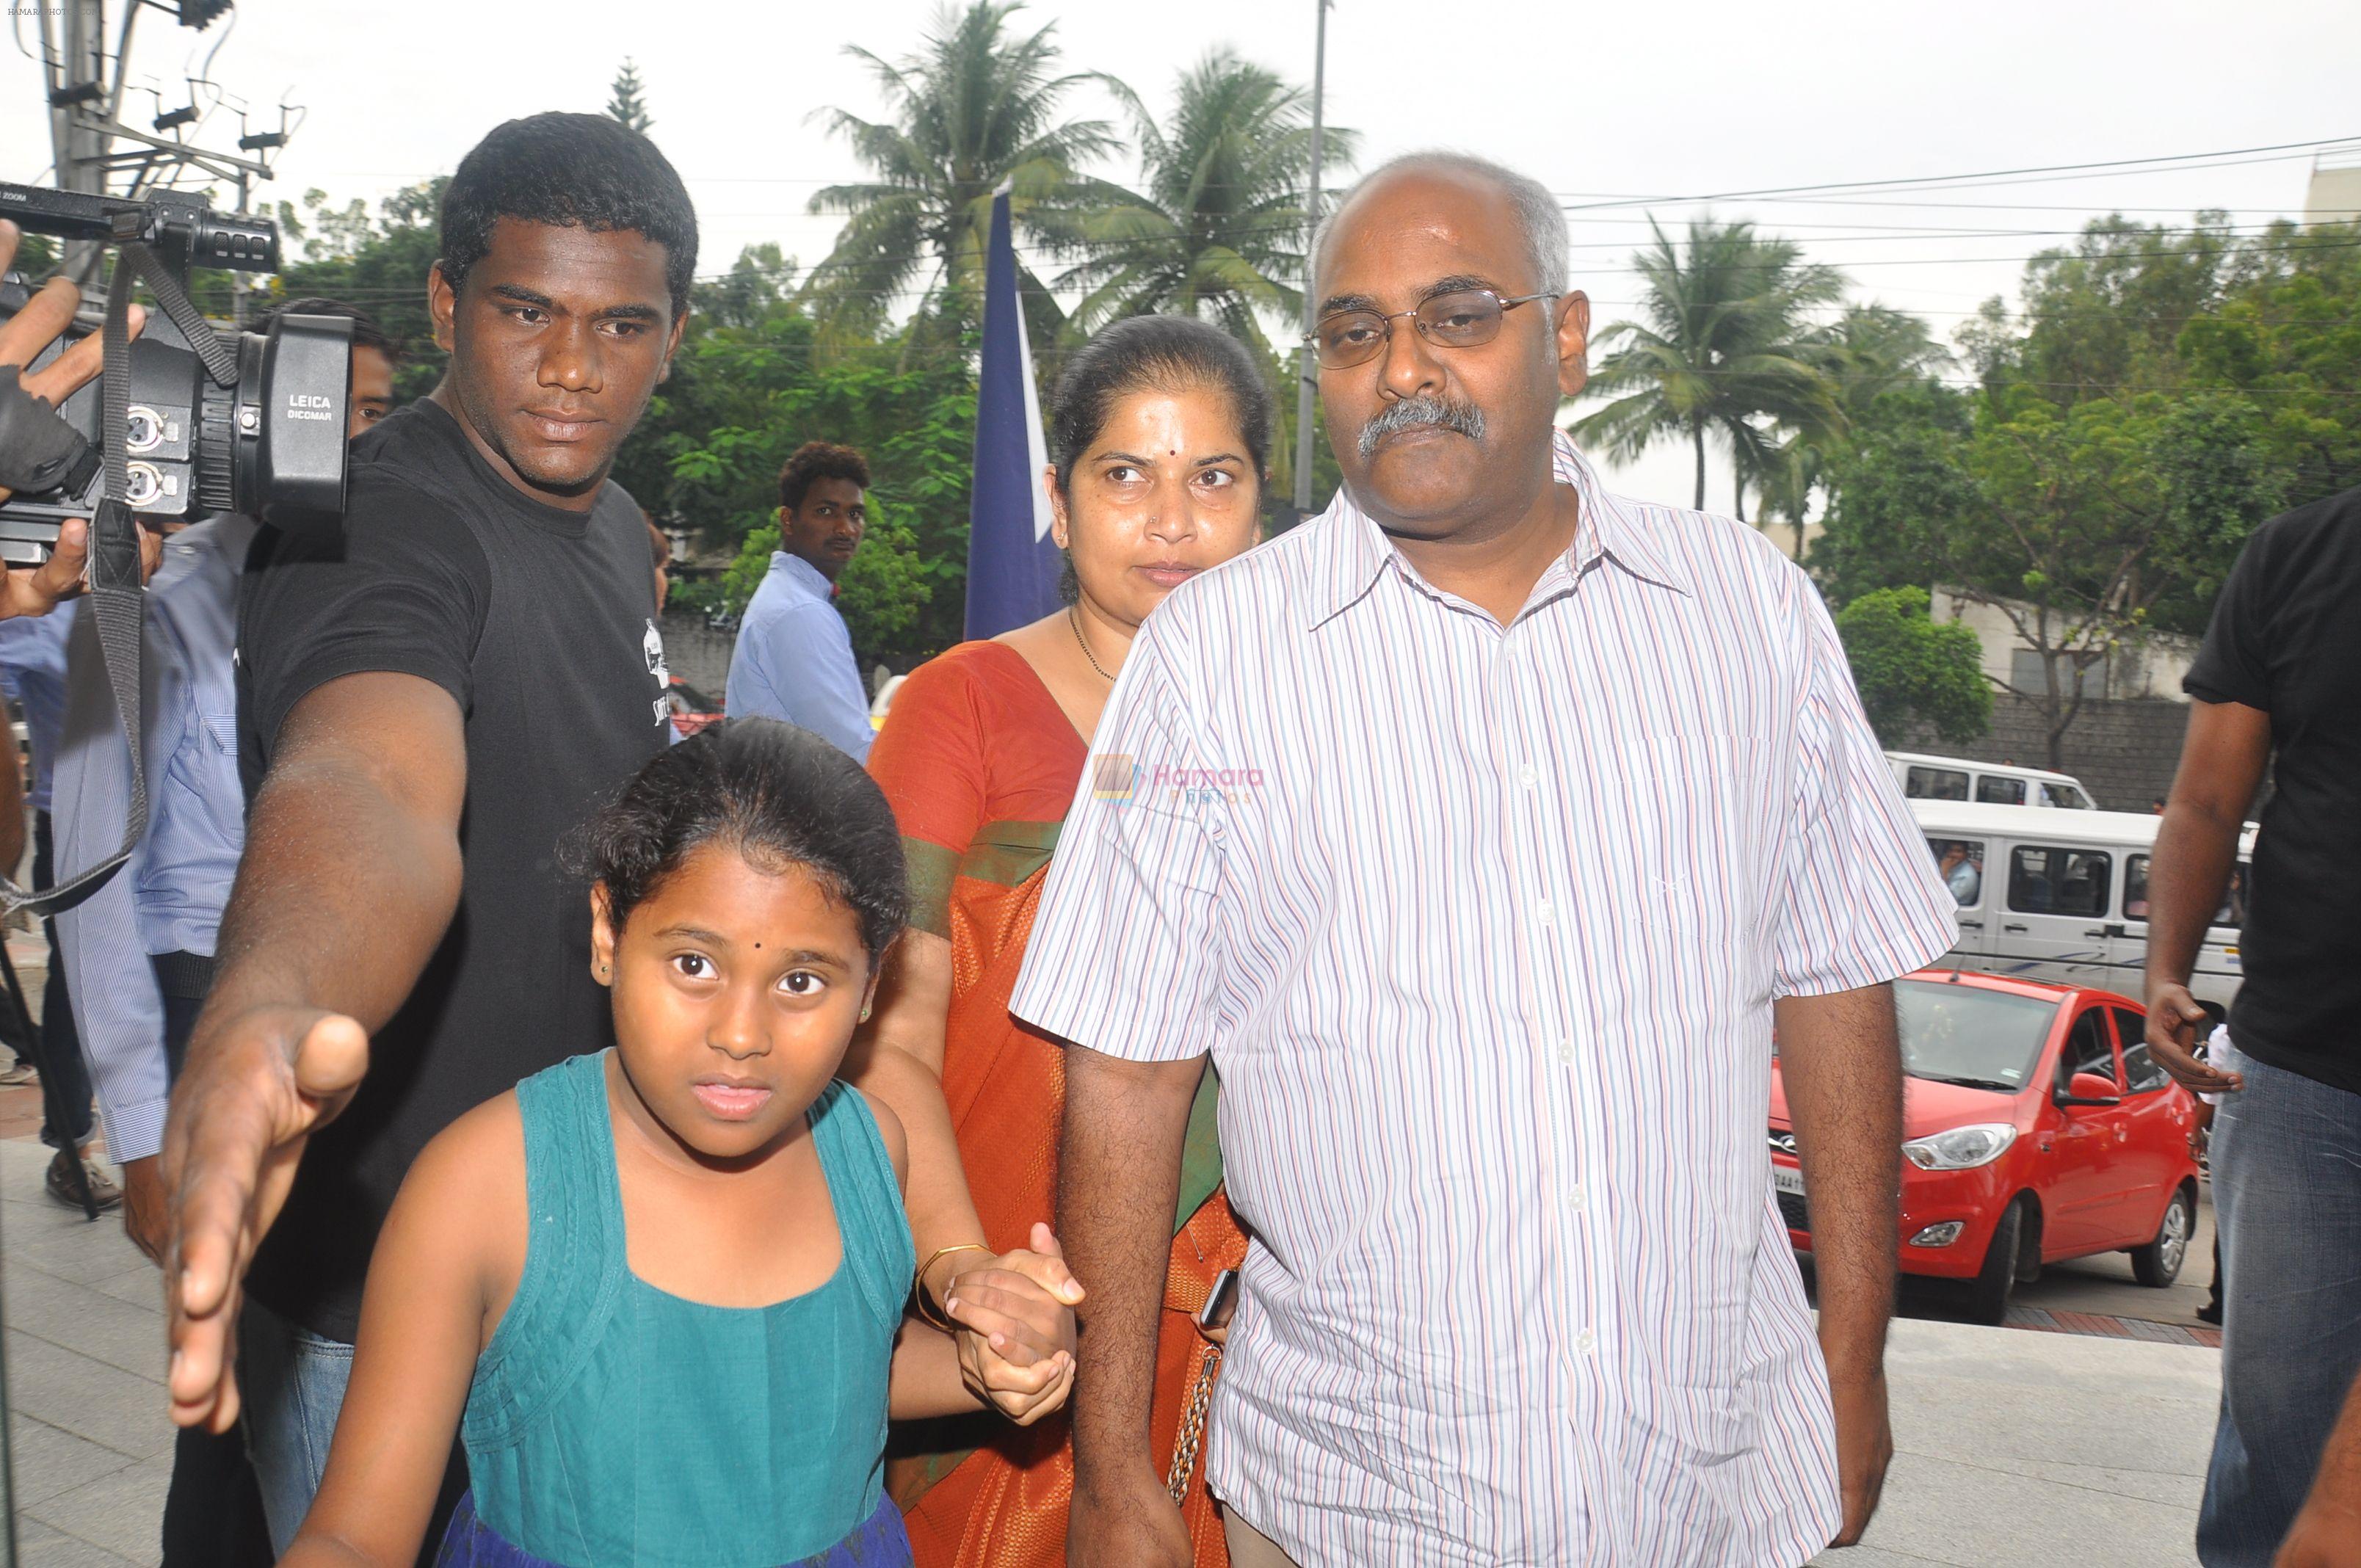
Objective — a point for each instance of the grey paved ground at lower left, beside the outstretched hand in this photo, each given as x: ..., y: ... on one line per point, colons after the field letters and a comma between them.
x: 89, y: 1432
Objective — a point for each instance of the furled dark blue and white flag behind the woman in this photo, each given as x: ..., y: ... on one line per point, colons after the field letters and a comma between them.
x: 1012, y: 556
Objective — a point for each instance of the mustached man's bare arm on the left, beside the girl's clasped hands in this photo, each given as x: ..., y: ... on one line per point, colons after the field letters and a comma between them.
x: 1118, y: 1187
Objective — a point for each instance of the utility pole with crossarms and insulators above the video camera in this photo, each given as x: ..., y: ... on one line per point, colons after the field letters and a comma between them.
x: 86, y: 117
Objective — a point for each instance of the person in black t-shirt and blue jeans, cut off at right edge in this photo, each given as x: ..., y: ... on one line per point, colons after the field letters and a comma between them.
x: 2280, y: 681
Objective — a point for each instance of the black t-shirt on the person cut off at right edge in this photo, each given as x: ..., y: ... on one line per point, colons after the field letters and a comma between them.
x: 2287, y: 639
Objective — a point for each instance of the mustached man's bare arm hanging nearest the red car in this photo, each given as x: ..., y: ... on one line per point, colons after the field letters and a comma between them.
x: 1843, y: 1069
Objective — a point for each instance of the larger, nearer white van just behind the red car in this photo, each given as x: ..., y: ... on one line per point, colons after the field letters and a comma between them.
x: 2065, y: 899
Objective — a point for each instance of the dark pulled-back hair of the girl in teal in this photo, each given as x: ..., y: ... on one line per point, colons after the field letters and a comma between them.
x: 776, y: 795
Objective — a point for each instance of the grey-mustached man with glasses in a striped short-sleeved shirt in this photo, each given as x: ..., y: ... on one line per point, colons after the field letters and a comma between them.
x: 1567, y: 802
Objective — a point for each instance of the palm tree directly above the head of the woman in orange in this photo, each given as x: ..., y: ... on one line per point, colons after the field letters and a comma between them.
x: 1217, y: 228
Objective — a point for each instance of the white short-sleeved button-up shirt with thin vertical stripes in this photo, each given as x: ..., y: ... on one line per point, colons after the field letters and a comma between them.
x: 1482, y: 929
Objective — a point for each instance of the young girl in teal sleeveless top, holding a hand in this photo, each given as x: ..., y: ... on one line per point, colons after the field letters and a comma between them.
x: 660, y: 1291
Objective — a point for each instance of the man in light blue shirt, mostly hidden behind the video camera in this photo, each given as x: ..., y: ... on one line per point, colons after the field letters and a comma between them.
x: 138, y: 953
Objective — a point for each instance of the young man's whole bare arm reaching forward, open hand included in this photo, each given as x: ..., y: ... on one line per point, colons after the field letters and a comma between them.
x: 351, y: 877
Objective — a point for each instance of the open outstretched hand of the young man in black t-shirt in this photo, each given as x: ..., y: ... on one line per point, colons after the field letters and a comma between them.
x: 259, y: 1085
